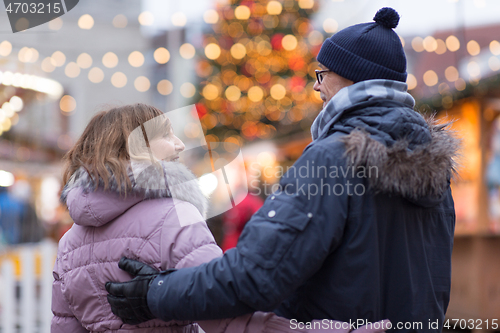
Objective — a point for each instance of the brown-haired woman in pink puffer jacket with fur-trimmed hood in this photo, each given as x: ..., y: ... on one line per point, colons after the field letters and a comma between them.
x: 129, y: 196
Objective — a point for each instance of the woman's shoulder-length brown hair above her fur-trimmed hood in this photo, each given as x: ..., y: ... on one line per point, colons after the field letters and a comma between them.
x: 103, y: 149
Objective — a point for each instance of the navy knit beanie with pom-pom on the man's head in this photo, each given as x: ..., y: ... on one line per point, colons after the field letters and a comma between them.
x: 367, y: 51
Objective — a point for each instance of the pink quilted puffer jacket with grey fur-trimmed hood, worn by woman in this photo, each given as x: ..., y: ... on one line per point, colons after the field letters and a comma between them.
x: 163, y: 227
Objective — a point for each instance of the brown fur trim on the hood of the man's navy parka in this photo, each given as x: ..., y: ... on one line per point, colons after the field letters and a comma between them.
x: 418, y: 171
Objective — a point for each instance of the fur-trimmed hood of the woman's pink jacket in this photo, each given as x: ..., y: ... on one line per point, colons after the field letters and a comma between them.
x: 164, y: 180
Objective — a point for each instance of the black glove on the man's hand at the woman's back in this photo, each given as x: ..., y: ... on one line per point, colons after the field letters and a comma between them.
x: 128, y: 300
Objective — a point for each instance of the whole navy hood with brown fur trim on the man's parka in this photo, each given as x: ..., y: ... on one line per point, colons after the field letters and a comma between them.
x: 415, y: 156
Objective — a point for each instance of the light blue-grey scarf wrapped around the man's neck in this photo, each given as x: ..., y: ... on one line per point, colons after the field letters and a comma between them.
x: 359, y: 92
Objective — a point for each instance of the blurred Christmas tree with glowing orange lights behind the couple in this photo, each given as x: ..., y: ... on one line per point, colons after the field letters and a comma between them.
x: 258, y: 70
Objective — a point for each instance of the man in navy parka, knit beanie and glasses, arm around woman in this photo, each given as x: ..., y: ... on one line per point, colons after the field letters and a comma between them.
x: 362, y: 226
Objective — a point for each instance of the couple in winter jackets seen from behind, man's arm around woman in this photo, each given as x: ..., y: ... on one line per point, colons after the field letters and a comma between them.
x: 329, y: 262
